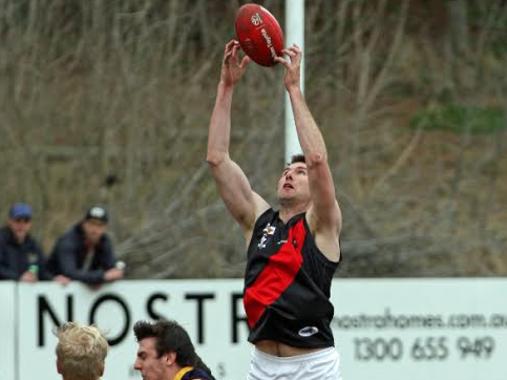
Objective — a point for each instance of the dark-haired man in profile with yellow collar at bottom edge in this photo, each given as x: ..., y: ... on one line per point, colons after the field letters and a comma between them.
x: 166, y: 353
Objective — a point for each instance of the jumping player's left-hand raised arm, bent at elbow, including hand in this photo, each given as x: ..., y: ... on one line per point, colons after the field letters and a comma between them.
x: 242, y: 202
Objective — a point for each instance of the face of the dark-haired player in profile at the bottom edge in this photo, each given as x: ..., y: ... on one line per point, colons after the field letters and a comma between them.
x: 147, y: 362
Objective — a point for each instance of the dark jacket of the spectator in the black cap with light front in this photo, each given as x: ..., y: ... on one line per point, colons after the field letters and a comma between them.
x: 69, y: 255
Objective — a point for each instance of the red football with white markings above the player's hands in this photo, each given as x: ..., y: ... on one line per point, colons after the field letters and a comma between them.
x: 259, y: 34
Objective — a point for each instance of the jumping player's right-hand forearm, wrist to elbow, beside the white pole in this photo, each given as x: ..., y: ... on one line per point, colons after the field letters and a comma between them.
x: 309, y: 135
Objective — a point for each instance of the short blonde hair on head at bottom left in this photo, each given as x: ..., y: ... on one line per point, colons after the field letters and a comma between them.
x: 81, y: 351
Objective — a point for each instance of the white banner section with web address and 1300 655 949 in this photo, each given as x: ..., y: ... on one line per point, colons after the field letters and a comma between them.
x: 422, y: 328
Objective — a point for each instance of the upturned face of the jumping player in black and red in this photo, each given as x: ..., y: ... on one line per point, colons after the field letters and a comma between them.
x: 293, y: 184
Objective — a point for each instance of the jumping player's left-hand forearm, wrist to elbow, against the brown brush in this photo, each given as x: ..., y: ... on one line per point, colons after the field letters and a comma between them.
x: 220, y: 125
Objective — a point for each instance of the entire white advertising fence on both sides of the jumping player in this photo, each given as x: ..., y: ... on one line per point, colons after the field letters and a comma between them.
x: 438, y: 329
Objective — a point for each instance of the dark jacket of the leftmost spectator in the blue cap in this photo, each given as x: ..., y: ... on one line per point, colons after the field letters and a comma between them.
x: 16, y: 258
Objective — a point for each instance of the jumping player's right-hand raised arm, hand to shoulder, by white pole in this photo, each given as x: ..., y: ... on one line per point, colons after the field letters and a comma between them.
x: 324, y: 214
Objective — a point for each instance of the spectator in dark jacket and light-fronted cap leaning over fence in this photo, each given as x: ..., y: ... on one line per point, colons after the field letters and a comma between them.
x: 85, y: 252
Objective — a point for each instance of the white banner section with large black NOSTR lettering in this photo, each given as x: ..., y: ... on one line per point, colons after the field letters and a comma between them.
x: 211, y: 311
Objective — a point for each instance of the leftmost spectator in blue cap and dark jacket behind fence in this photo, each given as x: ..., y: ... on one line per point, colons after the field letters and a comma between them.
x: 21, y: 256
